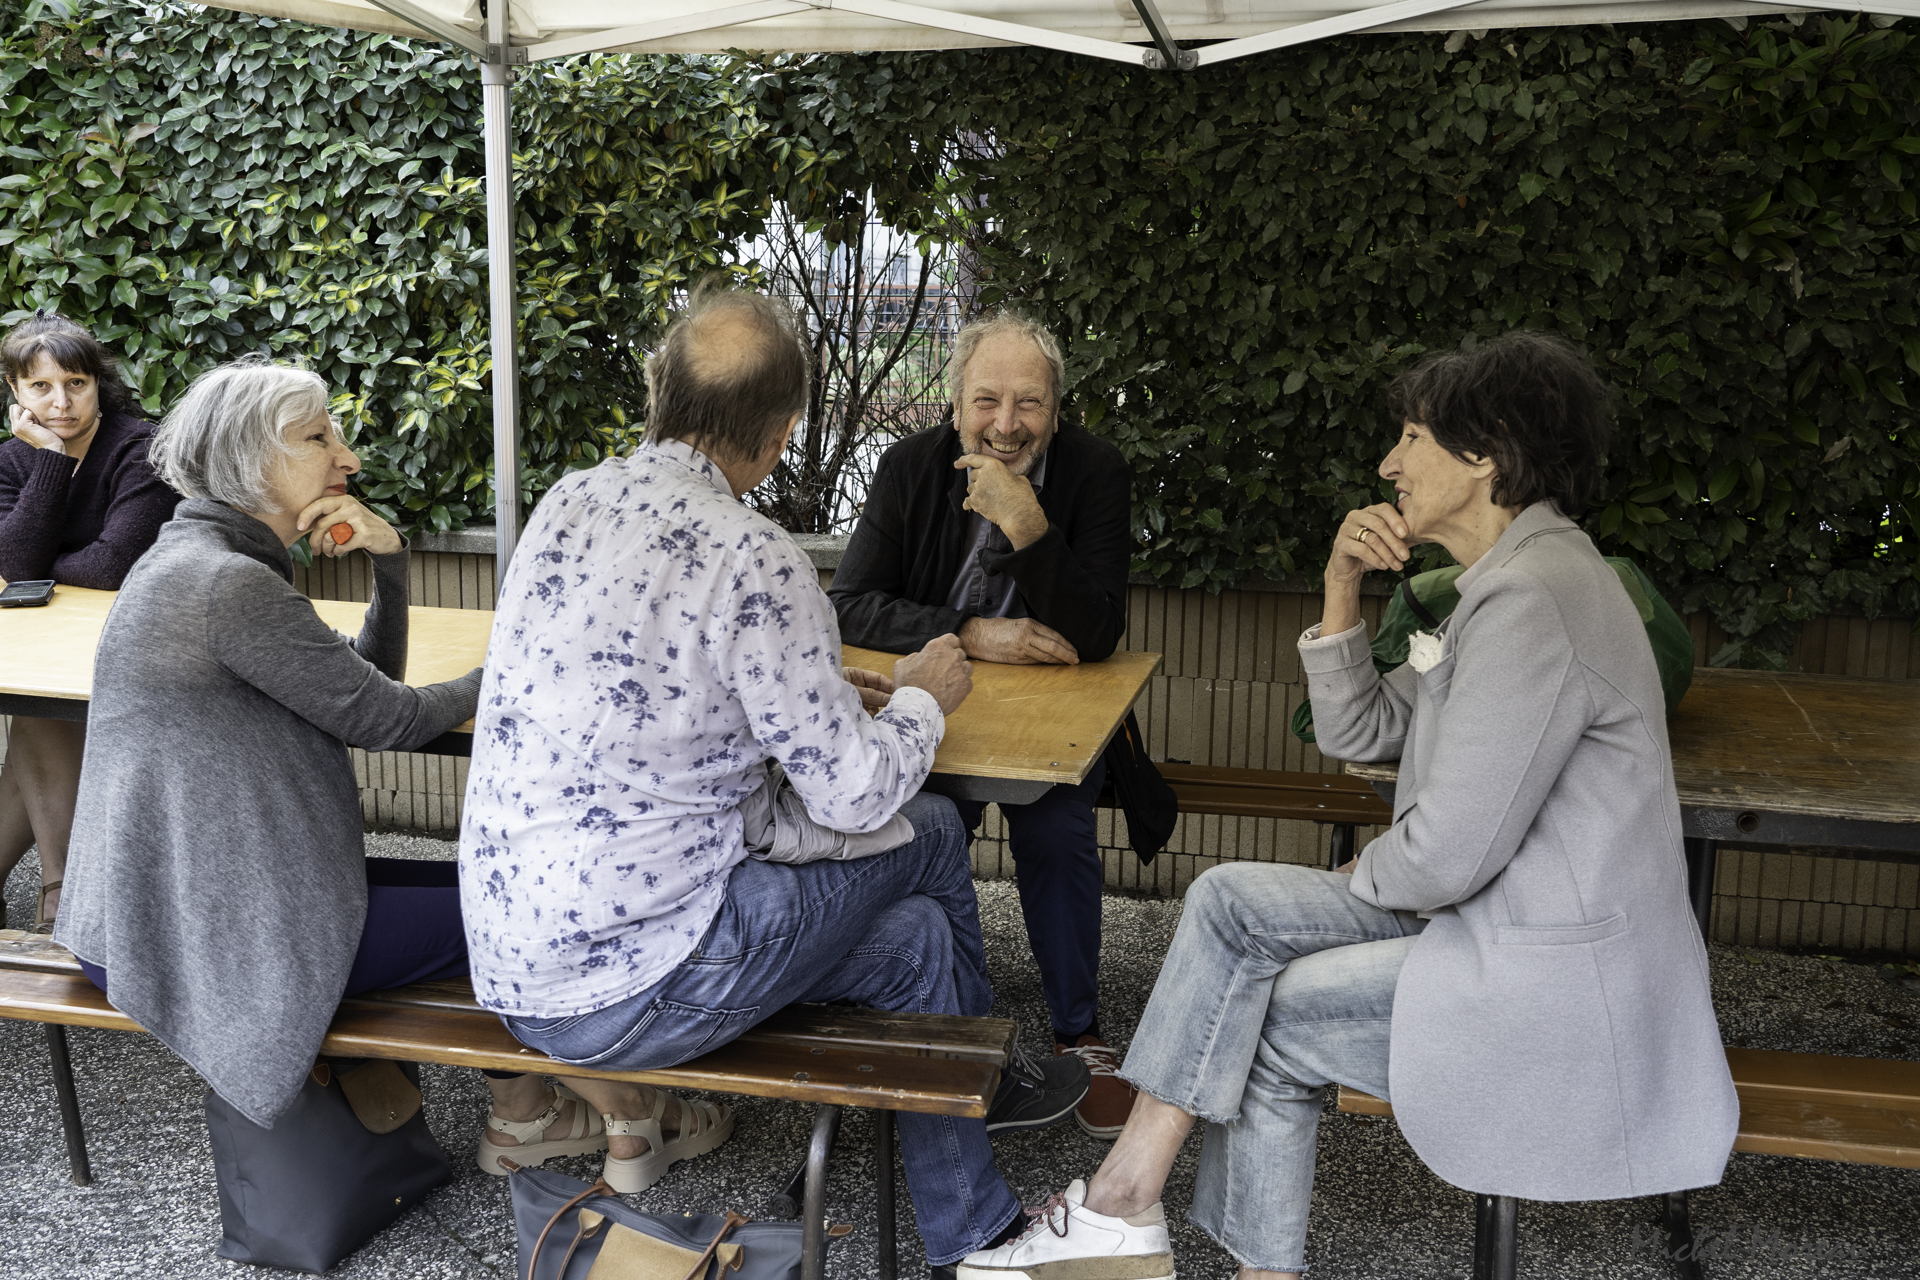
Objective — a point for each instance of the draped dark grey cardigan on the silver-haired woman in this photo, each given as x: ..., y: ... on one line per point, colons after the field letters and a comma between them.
x: 218, y: 866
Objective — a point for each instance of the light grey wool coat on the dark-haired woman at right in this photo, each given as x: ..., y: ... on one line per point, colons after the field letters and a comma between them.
x: 1554, y: 1037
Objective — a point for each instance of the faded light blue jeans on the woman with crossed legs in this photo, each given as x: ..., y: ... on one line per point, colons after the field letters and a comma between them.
x: 1280, y: 982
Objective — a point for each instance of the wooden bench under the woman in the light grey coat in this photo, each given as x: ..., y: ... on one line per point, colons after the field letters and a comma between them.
x: 1815, y: 1106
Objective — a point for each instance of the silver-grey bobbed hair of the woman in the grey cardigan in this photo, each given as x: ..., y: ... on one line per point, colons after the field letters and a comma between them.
x: 228, y: 437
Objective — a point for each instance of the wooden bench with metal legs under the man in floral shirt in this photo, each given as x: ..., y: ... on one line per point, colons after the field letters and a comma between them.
x: 830, y: 1056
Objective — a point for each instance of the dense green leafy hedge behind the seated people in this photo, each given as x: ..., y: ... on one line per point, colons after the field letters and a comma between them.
x: 1241, y: 258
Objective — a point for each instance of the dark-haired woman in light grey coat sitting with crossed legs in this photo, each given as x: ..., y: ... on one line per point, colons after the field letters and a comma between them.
x: 1514, y: 964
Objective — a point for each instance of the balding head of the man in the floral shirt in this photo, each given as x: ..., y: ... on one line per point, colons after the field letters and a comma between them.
x: 729, y: 375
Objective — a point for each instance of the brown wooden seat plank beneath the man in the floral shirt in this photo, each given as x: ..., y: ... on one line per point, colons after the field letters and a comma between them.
x: 865, y: 1076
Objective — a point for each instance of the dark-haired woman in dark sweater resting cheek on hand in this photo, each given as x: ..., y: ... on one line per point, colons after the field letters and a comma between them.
x: 80, y: 506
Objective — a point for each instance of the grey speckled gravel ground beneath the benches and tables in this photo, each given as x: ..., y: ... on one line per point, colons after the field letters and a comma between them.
x: 1378, y: 1214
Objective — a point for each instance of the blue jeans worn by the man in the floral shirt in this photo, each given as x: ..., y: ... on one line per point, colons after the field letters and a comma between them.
x: 892, y: 932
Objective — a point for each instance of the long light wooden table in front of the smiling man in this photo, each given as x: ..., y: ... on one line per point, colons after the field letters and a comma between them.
x: 1022, y: 730
